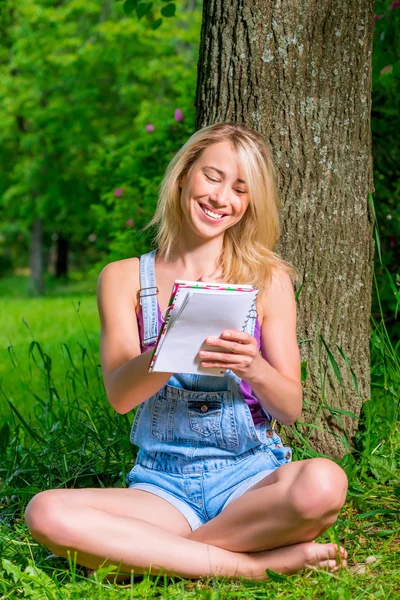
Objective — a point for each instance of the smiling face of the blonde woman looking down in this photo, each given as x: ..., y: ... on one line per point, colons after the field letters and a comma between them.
x: 214, y: 195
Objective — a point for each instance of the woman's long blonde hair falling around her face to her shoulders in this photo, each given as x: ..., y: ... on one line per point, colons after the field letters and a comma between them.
x: 248, y: 249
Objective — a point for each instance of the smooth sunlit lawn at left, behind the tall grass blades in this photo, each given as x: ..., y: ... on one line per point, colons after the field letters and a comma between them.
x: 66, y: 317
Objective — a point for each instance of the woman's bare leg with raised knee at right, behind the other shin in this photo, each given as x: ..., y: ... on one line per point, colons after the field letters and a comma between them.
x: 294, y: 504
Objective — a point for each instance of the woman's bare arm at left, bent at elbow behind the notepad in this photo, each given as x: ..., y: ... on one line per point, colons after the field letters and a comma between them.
x: 125, y: 370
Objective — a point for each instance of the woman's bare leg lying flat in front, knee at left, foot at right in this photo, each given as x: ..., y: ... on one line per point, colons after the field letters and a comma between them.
x: 101, y: 537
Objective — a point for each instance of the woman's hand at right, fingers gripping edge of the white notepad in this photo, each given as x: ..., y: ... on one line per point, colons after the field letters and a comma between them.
x: 237, y: 351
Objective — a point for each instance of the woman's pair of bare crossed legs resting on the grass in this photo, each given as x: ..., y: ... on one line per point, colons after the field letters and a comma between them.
x: 138, y: 530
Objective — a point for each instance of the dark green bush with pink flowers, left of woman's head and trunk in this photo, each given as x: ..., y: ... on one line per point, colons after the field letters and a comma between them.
x: 126, y: 174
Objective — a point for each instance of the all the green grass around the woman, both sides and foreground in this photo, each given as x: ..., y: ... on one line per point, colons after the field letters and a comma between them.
x: 58, y: 430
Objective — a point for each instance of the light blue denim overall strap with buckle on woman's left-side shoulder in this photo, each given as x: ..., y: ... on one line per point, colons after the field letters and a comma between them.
x: 148, y: 298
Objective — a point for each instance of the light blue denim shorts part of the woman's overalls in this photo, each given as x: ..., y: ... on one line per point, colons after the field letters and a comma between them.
x: 200, y: 494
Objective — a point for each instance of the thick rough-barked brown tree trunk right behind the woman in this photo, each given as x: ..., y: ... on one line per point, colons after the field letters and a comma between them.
x: 300, y: 74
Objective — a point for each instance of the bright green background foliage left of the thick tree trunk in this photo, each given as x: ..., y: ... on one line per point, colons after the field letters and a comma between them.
x: 74, y: 87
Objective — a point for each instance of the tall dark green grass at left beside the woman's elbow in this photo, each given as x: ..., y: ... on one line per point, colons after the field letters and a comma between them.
x: 62, y: 409
